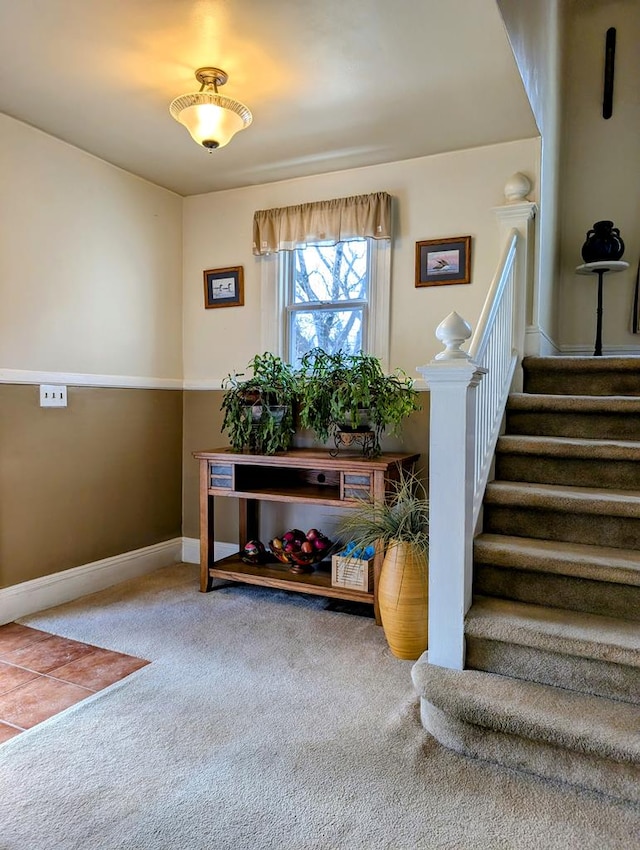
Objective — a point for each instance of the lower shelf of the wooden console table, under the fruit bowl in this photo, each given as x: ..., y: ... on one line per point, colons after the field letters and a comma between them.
x: 317, y: 583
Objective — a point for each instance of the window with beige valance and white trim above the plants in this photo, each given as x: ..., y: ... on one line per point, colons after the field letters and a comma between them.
x: 326, y: 271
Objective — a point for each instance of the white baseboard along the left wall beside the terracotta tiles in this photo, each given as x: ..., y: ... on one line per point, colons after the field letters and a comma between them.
x: 30, y: 596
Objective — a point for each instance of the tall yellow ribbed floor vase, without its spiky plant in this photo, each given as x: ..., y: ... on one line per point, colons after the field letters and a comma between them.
x: 403, y: 599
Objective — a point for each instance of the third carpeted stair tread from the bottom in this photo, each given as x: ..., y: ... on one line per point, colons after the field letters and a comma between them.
x: 603, y: 563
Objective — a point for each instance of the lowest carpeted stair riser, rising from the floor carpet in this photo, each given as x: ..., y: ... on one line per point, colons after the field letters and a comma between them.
x: 605, y: 776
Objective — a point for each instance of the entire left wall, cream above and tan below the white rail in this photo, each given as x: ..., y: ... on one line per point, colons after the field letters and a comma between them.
x: 90, y: 290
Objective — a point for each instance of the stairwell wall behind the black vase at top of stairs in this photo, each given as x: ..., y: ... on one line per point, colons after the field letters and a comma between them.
x: 600, y: 170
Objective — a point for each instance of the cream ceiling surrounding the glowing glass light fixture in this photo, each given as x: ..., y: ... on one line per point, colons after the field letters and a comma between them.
x: 332, y: 84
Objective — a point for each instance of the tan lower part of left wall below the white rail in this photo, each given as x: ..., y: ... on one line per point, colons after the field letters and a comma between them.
x: 96, y: 479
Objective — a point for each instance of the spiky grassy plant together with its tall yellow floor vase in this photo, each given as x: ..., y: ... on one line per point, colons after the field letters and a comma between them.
x: 399, y: 527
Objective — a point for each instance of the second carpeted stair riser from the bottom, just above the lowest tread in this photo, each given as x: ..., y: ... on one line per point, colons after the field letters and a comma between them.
x: 585, y: 675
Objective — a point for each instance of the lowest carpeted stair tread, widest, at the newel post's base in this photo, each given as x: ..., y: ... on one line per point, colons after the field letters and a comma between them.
x: 595, y: 725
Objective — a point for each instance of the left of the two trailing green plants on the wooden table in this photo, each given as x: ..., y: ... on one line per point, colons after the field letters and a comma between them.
x: 258, y: 410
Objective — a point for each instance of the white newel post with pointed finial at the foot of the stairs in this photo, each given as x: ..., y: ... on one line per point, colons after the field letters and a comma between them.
x: 452, y: 378
